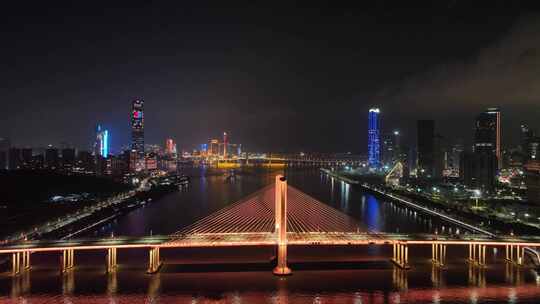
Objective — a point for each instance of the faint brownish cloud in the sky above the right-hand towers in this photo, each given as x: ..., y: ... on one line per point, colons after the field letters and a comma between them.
x: 504, y: 74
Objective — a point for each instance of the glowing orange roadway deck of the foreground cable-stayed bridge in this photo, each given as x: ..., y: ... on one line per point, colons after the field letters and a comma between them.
x: 263, y: 239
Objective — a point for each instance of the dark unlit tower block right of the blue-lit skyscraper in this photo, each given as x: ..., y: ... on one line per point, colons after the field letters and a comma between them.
x: 425, y: 148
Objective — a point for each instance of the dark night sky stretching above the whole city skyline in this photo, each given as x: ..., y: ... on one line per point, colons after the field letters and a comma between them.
x: 280, y: 77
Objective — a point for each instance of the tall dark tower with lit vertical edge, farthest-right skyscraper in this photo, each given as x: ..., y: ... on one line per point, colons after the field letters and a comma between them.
x: 487, y: 136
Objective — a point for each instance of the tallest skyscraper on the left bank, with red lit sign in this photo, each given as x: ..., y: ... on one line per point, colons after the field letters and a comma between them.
x: 137, y: 132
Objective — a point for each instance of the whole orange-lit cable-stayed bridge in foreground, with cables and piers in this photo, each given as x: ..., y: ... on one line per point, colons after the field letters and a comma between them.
x: 277, y: 215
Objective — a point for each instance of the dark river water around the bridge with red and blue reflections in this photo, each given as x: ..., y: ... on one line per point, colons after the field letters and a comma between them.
x: 243, y: 275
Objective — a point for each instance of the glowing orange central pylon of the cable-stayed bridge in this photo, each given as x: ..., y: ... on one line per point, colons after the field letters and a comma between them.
x: 281, y: 226
